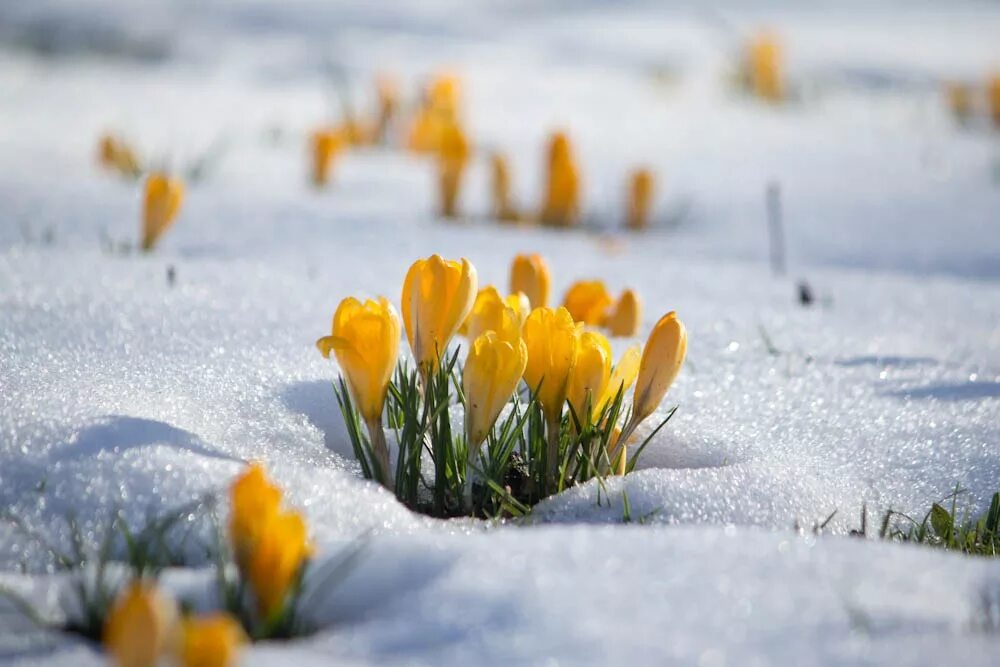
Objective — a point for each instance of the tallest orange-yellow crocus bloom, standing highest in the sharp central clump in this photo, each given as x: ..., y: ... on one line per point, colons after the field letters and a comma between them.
x: 437, y: 297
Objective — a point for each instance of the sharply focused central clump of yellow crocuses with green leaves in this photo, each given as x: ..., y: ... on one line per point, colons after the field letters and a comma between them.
x: 567, y: 369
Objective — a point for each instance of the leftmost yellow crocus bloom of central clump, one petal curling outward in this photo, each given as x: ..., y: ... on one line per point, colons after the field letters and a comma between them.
x: 365, y: 340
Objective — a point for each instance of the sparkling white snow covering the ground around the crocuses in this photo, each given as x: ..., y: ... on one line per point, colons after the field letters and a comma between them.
x: 120, y: 391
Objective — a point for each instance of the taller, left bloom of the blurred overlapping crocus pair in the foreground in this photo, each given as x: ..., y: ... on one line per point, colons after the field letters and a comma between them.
x: 253, y: 501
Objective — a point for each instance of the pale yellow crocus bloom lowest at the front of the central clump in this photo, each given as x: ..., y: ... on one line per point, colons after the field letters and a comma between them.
x: 493, y: 368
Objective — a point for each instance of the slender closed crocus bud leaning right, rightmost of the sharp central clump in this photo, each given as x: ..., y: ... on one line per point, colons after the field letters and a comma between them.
x: 661, y: 362
